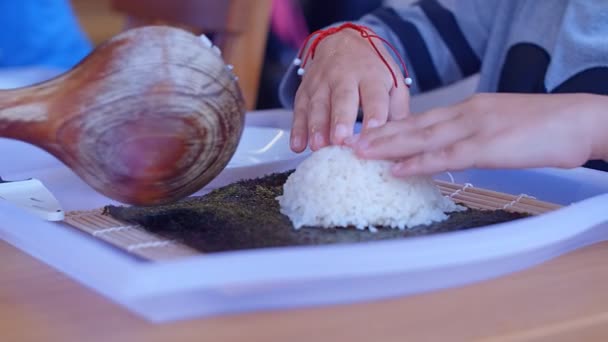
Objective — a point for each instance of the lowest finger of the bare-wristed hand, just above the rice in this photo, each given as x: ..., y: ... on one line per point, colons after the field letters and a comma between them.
x: 459, y: 156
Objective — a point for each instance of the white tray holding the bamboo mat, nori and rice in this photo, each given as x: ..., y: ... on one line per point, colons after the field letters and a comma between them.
x: 276, y: 278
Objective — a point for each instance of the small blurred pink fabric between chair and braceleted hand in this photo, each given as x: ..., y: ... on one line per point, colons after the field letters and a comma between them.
x: 288, y: 23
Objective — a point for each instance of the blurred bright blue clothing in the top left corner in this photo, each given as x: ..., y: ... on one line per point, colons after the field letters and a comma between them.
x: 40, y: 33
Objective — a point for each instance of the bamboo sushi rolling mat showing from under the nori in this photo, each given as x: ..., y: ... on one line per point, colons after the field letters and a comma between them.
x: 136, y: 241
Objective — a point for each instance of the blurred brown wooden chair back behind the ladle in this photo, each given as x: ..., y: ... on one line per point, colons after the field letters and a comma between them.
x: 238, y: 27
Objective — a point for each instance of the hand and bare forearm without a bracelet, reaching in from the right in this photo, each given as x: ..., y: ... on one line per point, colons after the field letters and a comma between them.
x: 494, y: 131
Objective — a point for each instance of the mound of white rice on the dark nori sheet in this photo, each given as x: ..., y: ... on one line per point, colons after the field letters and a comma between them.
x: 334, y: 188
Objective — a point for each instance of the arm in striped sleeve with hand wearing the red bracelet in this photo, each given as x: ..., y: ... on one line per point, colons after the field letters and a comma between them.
x: 441, y: 41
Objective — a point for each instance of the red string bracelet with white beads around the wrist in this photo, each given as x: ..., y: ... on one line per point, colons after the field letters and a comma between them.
x: 365, y: 32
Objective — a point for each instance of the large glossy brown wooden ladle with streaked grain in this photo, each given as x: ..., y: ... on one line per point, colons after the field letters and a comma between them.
x: 149, y: 117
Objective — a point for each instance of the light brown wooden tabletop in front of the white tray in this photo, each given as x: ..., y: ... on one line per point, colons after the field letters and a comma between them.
x: 563, y: 300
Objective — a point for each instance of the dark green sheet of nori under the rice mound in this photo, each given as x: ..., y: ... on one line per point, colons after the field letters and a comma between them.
x: 246, y: 215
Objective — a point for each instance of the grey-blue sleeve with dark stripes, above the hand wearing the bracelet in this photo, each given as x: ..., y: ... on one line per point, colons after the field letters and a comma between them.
x: 441, y: 41
